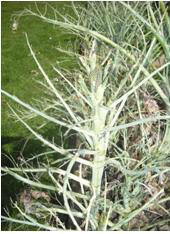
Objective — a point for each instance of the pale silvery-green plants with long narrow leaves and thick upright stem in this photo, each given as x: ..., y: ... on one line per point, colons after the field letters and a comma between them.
x: 115, y: 102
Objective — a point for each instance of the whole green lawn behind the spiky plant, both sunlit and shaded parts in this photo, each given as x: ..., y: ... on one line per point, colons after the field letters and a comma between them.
x: 19, y: 73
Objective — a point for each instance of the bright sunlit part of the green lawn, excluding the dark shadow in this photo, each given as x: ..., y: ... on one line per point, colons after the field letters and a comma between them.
x: 17, y: 75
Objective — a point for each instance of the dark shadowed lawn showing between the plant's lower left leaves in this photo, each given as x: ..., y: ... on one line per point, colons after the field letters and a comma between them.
x: 15, y: 149
